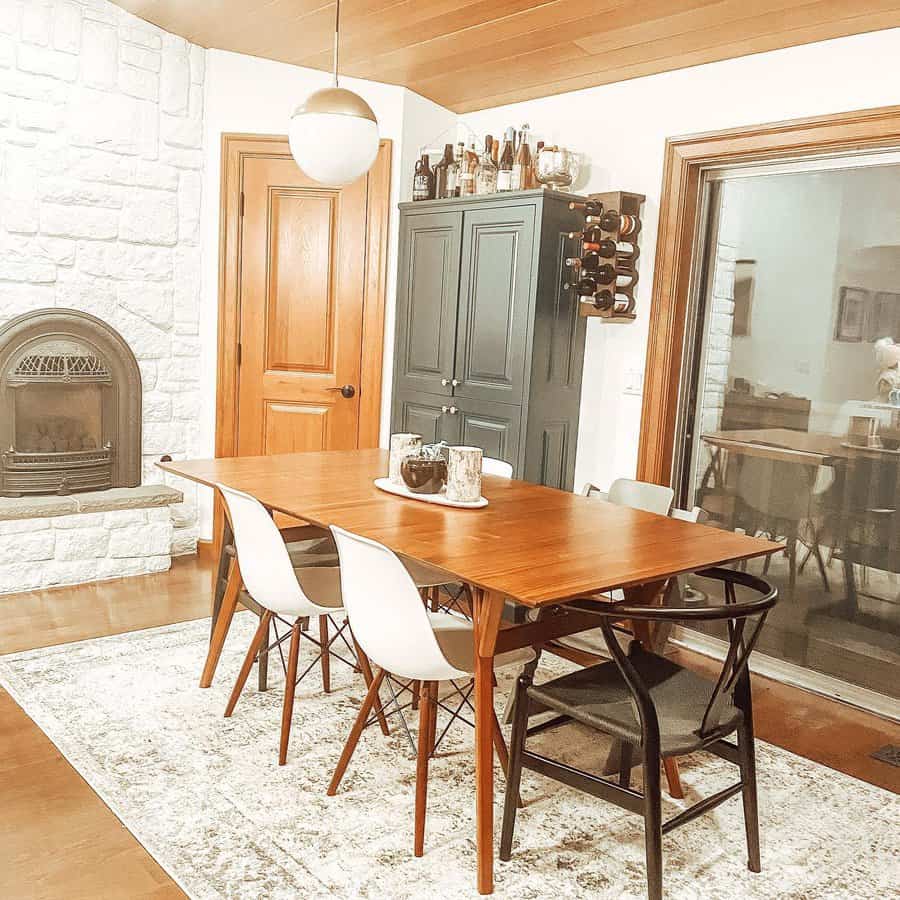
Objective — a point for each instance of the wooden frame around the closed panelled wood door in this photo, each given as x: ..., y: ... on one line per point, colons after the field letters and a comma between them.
x: 235, y: 149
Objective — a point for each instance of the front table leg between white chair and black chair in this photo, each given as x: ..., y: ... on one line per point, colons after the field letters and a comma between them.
x: 486, y: 619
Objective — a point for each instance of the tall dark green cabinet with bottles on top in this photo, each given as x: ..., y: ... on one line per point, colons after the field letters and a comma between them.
x: 489, y: 342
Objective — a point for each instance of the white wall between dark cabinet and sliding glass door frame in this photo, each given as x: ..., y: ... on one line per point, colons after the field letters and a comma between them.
x: 832, y: 76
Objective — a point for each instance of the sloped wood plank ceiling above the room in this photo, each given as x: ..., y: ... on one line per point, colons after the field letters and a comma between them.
x: 473, y: 54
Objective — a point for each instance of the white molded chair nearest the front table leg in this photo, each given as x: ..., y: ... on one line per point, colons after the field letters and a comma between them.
x: 406, y: 641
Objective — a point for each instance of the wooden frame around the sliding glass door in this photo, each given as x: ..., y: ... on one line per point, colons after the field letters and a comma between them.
x: 679, y: 224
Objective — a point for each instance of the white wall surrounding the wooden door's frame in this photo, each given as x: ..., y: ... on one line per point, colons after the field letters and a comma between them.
x: 257, y: 96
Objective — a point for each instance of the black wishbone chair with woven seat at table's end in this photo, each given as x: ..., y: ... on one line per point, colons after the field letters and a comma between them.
x: 657, y: 706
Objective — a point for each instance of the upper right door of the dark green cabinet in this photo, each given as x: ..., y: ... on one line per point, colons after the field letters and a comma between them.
x: 494, y: 296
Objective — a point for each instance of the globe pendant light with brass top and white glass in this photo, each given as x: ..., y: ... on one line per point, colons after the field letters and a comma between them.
x: 334, y: 133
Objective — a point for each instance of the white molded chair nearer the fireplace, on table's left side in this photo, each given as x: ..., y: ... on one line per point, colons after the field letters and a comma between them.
x: 286, y: 594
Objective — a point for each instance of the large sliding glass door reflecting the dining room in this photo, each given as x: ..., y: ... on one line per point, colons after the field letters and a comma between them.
x: 790, y: 412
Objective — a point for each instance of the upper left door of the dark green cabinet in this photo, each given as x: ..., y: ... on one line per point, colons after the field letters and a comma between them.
x: 427, y: 295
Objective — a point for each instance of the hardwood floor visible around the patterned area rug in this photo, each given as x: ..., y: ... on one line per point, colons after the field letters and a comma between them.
x: 61, y: 841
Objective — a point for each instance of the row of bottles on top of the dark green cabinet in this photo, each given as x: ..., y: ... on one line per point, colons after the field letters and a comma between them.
x: 513, y: 163
